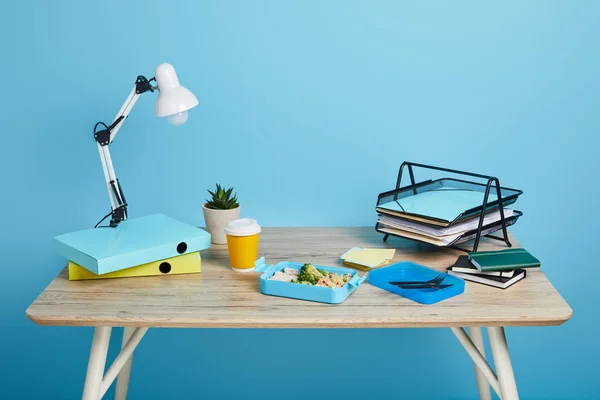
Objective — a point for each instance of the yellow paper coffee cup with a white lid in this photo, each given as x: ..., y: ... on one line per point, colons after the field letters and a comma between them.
x: 242, y: 243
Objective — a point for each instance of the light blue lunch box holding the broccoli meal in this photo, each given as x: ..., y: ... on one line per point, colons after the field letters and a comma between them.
x: 306, y: 292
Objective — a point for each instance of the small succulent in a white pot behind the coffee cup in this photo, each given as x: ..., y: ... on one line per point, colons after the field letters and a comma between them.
x: 219, y: 211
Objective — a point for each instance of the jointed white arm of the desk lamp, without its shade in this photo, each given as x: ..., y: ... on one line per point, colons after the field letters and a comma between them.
x: 105, y: 137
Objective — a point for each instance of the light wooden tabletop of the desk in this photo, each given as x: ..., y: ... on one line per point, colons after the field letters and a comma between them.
x: 221, y: 298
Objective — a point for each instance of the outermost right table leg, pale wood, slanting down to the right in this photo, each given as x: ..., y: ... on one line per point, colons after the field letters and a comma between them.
x: 506, y: 376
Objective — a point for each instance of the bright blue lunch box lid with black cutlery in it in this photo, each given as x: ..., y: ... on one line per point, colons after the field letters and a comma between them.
x: 409, y: 271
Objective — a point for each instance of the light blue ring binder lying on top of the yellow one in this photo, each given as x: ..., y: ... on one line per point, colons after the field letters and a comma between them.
x: 133, y: 242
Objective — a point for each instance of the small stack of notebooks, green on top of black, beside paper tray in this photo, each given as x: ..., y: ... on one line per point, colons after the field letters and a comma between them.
x: 501, y: 268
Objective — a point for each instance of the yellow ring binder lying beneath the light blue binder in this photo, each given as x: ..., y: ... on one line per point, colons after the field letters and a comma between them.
x: 187, y: 264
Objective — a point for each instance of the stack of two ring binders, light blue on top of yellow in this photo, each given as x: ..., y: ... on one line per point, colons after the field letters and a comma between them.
x: 153, y: 245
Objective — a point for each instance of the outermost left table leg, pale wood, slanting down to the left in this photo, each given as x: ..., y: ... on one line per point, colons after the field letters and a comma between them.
x: 96, y: 364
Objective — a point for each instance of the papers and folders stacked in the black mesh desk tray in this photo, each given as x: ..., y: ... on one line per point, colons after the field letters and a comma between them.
x: 444, y: 216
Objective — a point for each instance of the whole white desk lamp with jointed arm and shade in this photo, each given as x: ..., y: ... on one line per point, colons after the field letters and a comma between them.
x: 173, y: 102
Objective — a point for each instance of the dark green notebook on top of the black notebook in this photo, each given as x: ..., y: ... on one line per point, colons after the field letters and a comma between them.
x: 503, y: 259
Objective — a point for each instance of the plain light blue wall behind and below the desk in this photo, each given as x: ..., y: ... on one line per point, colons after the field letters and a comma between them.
x: 302, y: 103
